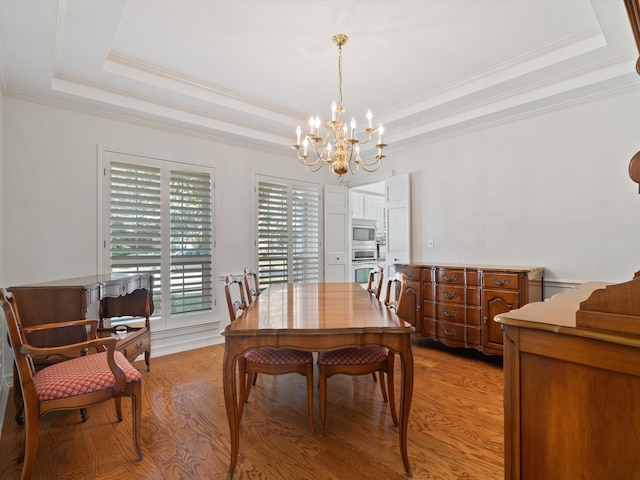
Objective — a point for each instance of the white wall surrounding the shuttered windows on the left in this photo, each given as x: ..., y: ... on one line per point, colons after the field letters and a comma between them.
x: 51, y: 187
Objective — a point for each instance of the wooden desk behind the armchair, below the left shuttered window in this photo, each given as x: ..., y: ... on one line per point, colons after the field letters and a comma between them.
x: 97, y: 296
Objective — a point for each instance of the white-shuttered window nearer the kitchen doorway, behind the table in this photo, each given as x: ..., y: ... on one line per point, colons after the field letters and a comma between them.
x: 288, y: 230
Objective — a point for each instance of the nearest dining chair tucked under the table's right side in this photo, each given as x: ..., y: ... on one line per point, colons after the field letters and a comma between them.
x: 362, y: 361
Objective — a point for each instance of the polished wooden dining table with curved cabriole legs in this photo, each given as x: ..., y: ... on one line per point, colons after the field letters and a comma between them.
x: 316, y: 317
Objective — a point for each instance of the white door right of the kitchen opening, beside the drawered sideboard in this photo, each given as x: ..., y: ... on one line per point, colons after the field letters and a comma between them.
x: 398, y: 211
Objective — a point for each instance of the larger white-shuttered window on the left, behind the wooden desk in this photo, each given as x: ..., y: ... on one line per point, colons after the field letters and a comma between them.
x: 159, y: 219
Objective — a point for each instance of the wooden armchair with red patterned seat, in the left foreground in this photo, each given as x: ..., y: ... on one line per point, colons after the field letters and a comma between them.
x: 95, y: 373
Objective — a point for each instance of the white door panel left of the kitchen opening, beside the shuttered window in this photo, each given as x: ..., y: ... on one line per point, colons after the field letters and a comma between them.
x: 336, y: 238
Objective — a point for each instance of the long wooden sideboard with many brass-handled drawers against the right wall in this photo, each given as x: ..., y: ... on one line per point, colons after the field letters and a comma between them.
x: 456, y: 304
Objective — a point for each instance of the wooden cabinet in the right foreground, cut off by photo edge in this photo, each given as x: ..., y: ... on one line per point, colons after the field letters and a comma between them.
x: 572, y: 385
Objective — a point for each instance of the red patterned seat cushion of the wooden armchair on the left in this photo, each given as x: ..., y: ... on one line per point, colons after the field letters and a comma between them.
x: 80, y: 376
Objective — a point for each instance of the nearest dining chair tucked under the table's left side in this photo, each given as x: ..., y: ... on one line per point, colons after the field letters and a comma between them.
x: 267, y: 361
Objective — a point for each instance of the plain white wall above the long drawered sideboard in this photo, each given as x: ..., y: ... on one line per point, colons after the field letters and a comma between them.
x: 551, y: 190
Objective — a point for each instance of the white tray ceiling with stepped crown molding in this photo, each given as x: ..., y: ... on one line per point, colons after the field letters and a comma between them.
x: 250, y: 71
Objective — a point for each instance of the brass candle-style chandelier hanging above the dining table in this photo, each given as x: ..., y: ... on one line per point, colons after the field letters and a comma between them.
x: 340, y: 148
